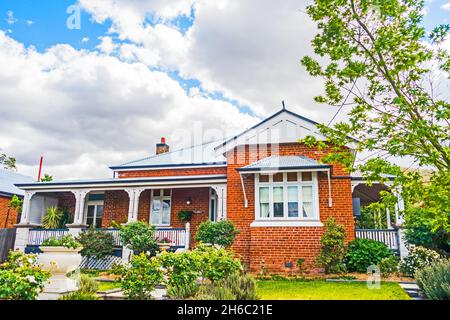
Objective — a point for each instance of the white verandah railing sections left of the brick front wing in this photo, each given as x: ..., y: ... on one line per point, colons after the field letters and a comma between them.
x: 177, y: 236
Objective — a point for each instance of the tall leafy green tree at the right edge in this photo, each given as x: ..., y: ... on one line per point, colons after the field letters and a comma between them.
x: 379, y: 64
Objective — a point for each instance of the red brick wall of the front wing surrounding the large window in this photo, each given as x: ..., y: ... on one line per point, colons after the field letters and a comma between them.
x: 274, y: 246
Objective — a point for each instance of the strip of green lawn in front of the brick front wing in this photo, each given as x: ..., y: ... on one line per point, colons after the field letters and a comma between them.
x: 322, y: 290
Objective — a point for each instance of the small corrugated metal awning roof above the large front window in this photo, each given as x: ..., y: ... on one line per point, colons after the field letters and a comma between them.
x: 283, y: 162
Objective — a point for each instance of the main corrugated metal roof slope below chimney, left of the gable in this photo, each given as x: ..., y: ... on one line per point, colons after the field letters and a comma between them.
x: 202, y: 154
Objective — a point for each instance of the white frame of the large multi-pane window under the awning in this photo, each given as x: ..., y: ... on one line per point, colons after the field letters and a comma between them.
x: 286, y: 220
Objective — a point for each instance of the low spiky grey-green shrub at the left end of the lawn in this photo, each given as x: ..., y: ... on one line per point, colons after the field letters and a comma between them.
x: 233, y: 287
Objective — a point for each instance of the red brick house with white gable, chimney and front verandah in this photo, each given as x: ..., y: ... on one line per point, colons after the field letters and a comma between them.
x: 273, y: 188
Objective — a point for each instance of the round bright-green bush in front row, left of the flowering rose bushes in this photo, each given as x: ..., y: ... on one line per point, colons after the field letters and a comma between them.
x: 138, y: 280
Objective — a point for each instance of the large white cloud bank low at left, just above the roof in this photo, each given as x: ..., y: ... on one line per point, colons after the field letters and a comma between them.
x: 85, y: 111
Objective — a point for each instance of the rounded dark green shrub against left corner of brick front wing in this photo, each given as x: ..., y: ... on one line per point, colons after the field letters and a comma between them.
x: 221, y: 233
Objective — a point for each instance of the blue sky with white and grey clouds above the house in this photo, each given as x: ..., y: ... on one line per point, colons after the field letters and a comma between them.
x: 101, y: 90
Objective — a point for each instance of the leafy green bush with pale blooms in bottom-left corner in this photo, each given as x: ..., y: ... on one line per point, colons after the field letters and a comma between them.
x: 21, y: 278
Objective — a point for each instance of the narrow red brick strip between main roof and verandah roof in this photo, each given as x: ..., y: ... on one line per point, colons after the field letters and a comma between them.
x: 172, y: 172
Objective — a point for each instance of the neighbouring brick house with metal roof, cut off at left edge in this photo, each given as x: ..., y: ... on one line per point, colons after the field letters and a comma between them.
x: 9, y: 216
